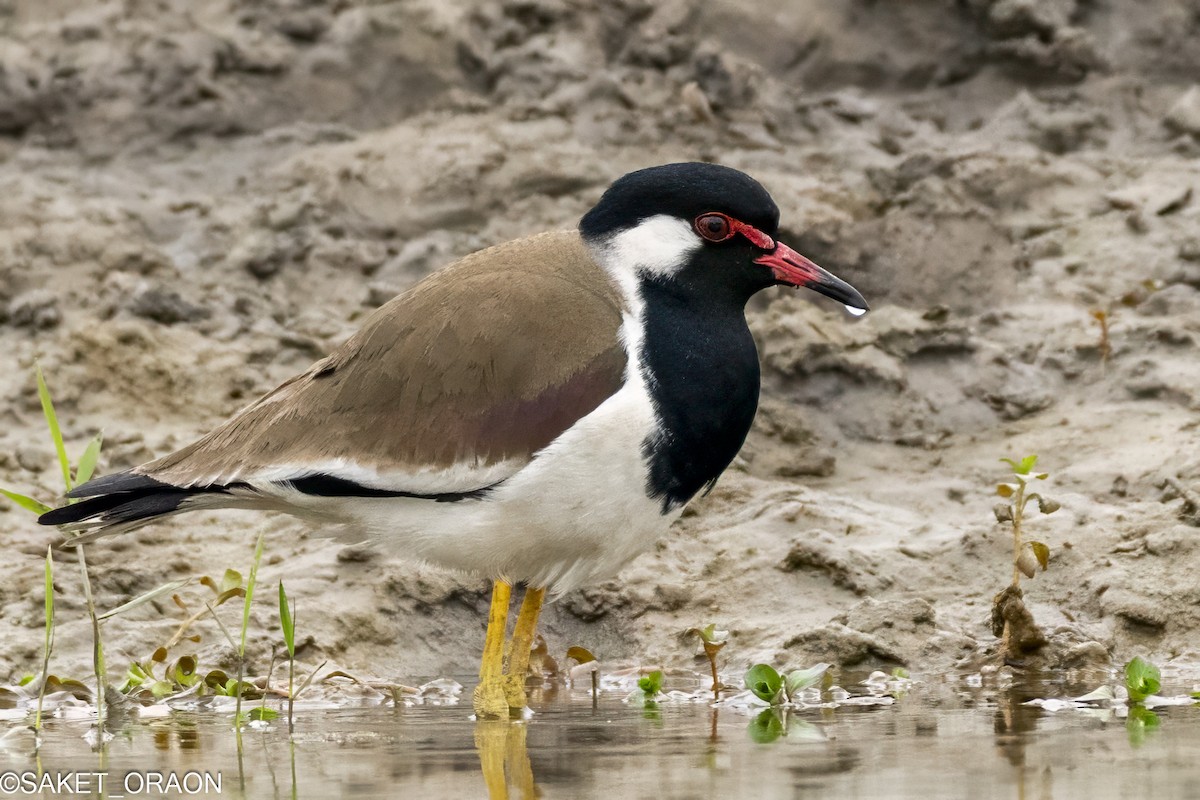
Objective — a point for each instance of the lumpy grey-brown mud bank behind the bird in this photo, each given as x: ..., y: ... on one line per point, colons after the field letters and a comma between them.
x: 200, y: 200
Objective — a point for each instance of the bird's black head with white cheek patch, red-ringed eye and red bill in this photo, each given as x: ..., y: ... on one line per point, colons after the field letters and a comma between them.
x: 703, y: 231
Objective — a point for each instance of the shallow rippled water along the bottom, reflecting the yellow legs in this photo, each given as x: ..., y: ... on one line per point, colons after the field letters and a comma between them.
x: 943, y: 739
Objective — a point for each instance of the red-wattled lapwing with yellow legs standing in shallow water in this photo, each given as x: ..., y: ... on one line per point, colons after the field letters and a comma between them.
x: 537, y: 413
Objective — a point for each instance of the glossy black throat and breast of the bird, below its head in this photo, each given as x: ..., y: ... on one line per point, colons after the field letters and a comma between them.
x: 703, y: 375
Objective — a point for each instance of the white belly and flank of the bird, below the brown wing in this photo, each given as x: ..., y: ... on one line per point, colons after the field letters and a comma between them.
x: 577, y: 514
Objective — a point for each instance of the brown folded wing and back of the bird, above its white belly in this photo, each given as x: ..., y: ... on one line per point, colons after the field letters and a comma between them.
x: 487, y: 362
